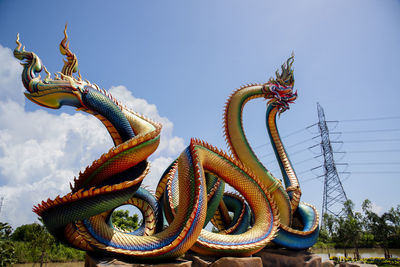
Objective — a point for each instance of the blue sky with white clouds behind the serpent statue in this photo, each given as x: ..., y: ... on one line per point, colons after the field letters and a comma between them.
x: 178, y: 61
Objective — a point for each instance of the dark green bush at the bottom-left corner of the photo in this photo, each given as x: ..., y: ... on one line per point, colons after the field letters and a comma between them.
x: 7, y: 249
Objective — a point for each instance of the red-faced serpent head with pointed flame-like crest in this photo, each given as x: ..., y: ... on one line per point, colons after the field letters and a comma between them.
x: 279, y: 90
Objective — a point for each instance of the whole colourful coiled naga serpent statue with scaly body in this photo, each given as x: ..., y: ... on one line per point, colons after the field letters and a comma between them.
x: 189, y: 194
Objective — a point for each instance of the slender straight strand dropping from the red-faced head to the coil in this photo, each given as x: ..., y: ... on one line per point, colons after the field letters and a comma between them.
x: 288, y: 173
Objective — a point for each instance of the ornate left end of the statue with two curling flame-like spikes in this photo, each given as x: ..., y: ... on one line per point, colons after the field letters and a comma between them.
x: 68, y: 90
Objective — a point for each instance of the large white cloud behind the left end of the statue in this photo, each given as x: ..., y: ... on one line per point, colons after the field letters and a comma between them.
x: 40, y: 153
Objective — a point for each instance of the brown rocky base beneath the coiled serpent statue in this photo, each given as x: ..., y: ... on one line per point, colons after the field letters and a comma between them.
x: 266, y: 257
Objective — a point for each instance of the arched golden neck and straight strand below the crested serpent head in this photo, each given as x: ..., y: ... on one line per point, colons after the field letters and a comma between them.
x: 242, y: 150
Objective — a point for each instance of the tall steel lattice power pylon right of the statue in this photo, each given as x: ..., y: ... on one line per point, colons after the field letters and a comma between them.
x: 334, y: 195
